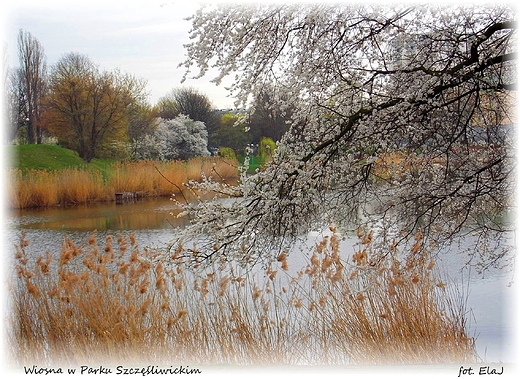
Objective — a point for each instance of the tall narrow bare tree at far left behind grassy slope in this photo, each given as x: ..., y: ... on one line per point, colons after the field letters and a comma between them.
x: 32, y: 80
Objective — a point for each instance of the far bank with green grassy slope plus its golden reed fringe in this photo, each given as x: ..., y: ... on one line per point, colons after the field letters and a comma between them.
x: 47, y: 175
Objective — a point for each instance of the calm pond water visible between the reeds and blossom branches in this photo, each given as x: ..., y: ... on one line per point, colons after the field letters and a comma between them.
x: 490, y: 301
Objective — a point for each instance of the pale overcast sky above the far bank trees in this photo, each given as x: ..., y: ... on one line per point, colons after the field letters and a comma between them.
x: 141, y: 37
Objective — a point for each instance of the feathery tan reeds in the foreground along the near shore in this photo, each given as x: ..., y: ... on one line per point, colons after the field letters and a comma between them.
x: 102, y: 302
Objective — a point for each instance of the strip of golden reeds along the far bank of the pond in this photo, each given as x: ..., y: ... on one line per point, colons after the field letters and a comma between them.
x: 38, y: 188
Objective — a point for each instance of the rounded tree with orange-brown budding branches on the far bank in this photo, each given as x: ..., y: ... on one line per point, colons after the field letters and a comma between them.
x: 88, y: 109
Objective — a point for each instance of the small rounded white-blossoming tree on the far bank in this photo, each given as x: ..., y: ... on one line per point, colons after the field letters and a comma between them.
x: 179, y: 138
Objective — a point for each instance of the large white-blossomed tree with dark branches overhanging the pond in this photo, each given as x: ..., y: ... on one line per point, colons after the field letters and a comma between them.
x: 403, y: 120
